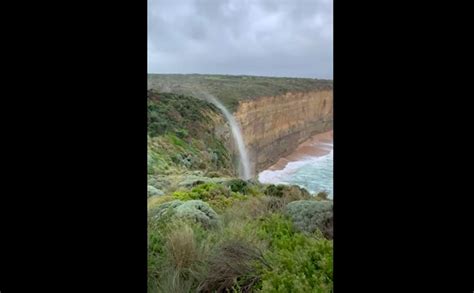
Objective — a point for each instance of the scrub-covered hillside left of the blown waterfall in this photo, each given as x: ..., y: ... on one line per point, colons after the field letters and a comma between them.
x: 182, y: 140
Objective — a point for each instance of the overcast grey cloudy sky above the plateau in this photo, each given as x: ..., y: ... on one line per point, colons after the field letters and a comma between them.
x: 291, y: 38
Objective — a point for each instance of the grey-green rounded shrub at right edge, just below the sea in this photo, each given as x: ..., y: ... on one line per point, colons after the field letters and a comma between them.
x: 309, y: 215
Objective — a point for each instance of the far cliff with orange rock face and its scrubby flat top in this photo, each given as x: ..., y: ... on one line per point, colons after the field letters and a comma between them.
x: 276, y: 114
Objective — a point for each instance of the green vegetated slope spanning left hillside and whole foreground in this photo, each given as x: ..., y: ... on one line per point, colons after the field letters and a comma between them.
x: 251, y: 245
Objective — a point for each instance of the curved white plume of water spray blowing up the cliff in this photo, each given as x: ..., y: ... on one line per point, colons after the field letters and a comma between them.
x: 237, y: 134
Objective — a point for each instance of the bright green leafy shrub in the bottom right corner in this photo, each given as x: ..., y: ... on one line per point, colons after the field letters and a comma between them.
x: 297, y: 262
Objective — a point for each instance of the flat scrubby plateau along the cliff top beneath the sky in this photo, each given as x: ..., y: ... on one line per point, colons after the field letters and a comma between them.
x: 230, y: 89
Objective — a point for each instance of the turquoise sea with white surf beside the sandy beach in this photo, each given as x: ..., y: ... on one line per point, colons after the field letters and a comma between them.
x: 313, y: 173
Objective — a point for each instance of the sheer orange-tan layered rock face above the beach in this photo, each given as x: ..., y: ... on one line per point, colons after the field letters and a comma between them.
x: 274, y: 126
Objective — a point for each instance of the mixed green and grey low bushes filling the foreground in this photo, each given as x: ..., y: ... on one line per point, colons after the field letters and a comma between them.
x: 250, y: 248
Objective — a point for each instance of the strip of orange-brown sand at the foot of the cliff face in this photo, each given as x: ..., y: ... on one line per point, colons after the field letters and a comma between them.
x: 315, y: 146
